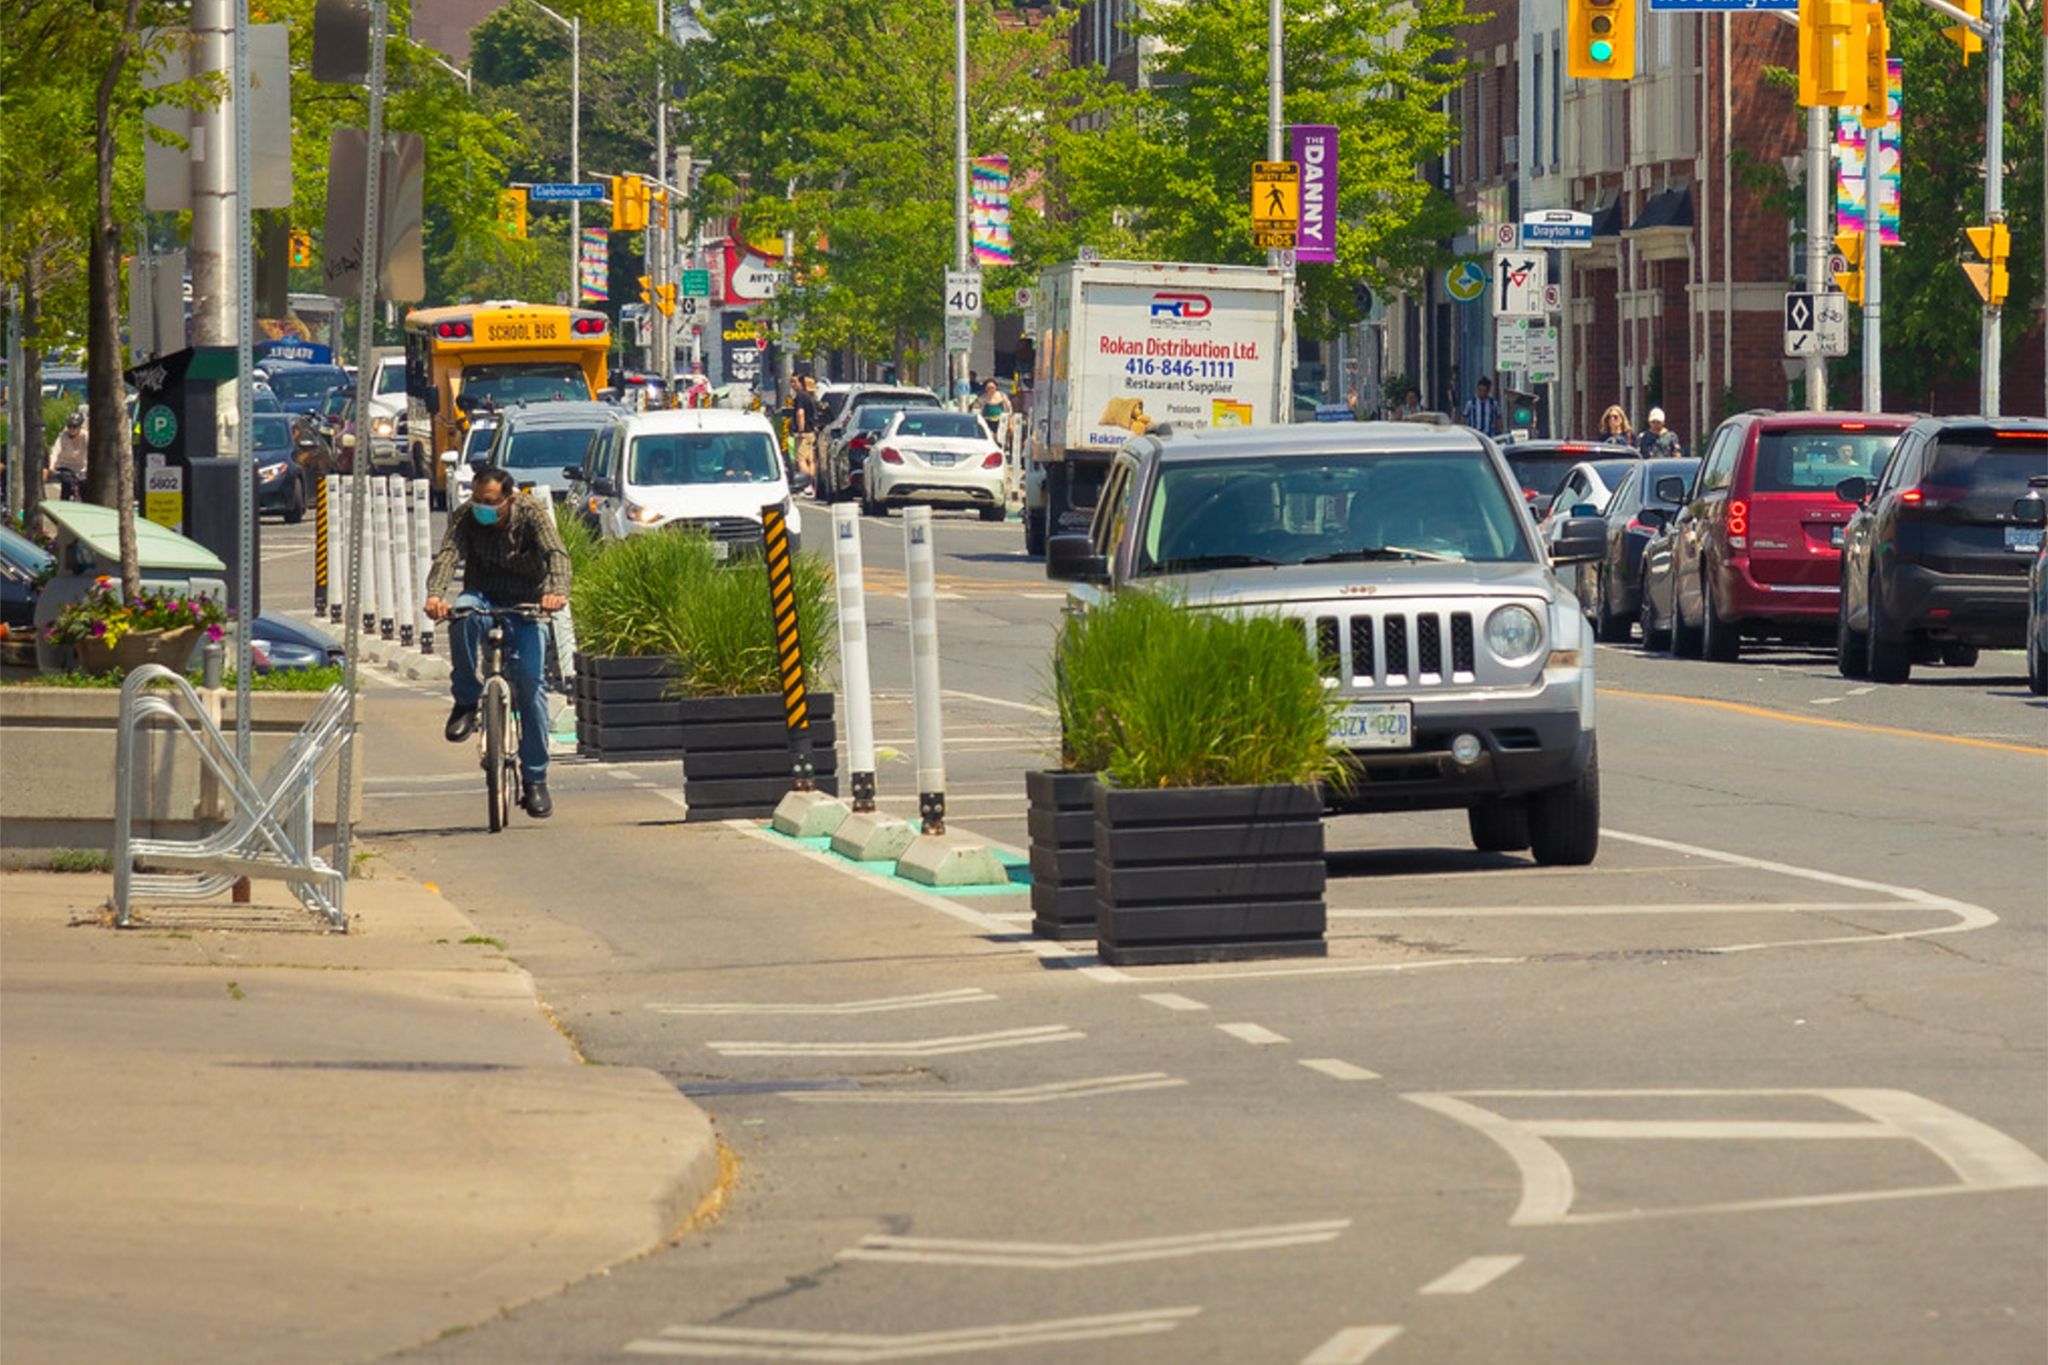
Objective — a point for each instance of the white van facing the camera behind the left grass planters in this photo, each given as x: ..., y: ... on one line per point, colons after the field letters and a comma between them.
x: 701, y: 468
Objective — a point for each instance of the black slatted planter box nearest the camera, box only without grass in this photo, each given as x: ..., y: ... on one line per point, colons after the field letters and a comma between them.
x: 1209, y: 875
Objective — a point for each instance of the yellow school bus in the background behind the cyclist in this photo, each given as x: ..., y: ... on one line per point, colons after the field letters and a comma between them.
x: 474, y: 355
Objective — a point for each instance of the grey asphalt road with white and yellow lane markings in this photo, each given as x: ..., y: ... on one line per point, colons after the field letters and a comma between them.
x: 1766, y: 1084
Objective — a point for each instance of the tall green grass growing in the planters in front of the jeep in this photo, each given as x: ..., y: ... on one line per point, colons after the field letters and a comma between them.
x: 1154, y: 695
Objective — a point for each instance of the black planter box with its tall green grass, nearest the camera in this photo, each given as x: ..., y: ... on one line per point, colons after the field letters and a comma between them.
x: 1211, y: 740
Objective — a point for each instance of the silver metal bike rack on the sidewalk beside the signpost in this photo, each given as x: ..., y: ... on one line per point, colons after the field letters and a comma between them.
x: 271, y: 826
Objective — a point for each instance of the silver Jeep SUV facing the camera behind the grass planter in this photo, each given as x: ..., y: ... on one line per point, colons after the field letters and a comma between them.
x: 1463, y: 668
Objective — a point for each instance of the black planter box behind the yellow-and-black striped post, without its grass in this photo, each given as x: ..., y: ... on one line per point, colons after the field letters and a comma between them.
x: 736, y: 760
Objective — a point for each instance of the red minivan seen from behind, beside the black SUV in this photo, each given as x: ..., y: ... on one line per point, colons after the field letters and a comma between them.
x: 1758, y: 545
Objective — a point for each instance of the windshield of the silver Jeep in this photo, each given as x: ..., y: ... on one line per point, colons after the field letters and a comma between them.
x: 1218, y: 515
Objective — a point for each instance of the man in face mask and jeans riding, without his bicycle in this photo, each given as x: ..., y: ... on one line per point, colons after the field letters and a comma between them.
x: 511, y: 556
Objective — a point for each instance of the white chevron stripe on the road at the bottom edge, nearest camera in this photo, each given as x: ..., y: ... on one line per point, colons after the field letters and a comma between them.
x: 861, y: 1348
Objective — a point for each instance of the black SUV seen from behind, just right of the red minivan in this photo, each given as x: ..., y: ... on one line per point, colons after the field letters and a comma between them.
x: 1940, y: 545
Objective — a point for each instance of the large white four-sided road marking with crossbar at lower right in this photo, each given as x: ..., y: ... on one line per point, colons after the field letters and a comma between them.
x: 1981, y: 1157
